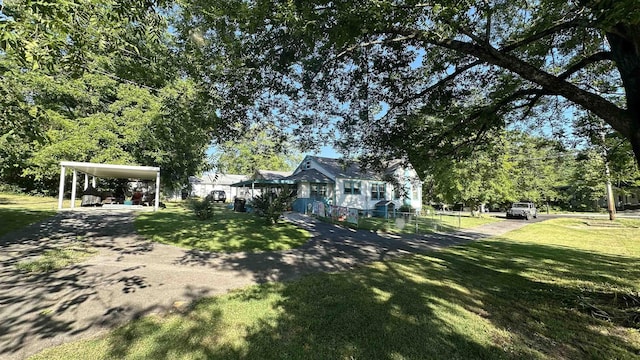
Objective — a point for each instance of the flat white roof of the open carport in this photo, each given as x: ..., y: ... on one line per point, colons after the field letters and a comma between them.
x: 114, y: 171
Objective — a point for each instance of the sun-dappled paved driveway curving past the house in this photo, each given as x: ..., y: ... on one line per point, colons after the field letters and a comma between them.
x: 130, y: 277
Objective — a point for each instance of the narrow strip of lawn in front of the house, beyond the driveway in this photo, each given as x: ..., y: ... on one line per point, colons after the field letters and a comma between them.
x: 426, y: 224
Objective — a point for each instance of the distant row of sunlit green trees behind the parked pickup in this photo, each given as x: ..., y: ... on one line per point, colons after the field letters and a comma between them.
x: 521, y: 167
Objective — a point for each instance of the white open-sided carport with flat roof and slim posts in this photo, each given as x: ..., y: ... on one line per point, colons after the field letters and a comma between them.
x: 110, y: 171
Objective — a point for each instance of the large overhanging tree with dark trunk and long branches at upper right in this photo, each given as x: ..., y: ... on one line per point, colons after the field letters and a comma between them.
x: 432, y: 77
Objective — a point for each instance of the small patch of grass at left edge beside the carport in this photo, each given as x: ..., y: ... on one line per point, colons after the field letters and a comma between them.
x: 17, y: 211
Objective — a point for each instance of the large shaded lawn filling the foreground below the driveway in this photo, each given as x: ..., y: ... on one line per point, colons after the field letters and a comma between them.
x: 561, y: 289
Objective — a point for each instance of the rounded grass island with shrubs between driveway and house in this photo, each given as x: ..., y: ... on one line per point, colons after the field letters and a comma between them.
x: 228, y: 231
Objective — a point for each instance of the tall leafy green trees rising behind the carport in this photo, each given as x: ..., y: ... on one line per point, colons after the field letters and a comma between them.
x: 89, y: 80
